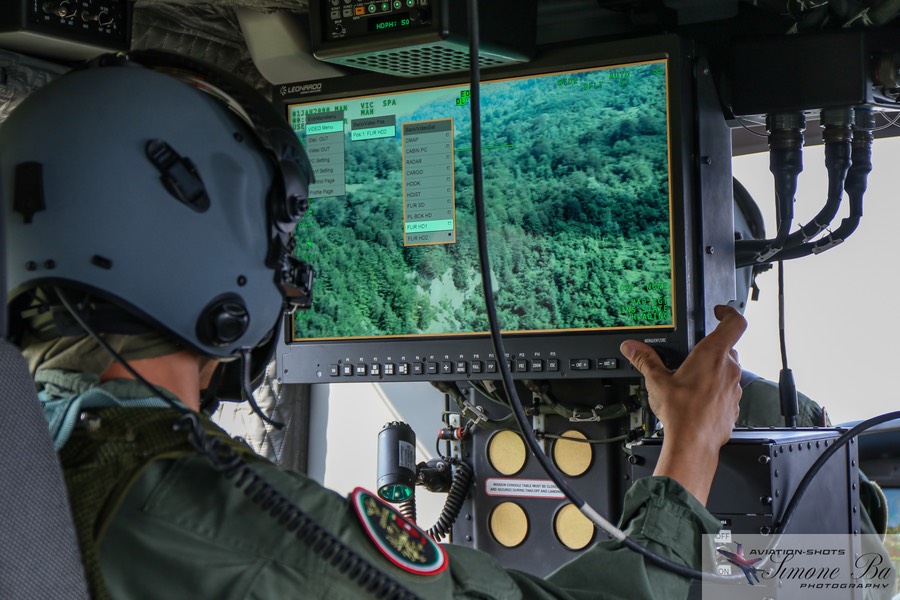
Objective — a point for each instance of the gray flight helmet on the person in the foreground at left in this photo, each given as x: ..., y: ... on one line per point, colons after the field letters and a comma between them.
x: 152, y: 193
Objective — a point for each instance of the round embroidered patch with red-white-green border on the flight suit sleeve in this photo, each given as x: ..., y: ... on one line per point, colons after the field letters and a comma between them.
x: 398, y: 538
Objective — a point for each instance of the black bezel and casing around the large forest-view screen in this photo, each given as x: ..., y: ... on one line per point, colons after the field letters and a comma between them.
x: 701, y: 278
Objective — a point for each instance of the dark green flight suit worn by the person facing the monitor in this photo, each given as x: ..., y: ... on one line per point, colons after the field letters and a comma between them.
x: 176, y: 528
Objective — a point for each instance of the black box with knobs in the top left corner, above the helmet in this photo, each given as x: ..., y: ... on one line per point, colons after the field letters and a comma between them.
x: 66, y: 29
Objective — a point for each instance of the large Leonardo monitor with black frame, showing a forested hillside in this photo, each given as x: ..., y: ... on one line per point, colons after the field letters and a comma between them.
x: 587, y: 160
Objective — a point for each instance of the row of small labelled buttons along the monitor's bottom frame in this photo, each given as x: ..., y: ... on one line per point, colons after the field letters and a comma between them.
x: 467, y: 367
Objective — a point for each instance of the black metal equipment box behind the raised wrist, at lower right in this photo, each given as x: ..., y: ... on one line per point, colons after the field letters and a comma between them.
x: 758, y: 472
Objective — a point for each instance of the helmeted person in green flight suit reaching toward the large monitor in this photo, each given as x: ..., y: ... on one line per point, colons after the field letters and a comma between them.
x: 147, y: 206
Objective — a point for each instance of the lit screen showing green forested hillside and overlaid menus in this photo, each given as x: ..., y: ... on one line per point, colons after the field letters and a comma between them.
x: 577, y: 196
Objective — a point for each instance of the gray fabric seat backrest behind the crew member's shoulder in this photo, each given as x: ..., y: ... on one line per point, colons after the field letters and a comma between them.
x: 39, y: 555
